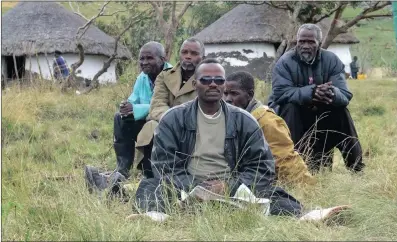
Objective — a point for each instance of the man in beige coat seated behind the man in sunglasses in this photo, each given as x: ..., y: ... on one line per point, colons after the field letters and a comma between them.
x: 173, y: 87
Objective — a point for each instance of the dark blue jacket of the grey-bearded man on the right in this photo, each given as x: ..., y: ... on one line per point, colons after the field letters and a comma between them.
x: 293, y: 80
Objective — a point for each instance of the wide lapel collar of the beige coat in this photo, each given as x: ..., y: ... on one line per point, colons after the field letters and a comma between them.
x: 174, y: 83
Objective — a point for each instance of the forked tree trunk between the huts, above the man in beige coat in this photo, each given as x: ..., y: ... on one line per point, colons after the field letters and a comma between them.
x: 168, y: 20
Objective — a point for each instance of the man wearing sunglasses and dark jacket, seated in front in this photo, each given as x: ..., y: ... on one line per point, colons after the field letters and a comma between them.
x: 210, y: 143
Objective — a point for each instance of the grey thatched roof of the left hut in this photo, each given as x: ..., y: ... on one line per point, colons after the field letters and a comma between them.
x: 43, y: 27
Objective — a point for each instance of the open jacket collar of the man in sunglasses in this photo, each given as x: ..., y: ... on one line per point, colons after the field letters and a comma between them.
x: 191, y: 118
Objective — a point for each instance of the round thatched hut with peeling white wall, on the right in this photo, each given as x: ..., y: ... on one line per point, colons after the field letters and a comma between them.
x: 247, y: 37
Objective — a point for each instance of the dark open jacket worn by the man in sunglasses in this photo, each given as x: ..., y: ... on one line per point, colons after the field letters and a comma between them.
x: 246, y: 150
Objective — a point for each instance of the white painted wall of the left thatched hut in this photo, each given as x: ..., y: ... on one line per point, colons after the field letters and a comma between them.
x: 91, y: 65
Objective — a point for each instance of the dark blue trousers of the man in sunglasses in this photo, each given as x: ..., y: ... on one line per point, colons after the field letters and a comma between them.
x: 154, y: 195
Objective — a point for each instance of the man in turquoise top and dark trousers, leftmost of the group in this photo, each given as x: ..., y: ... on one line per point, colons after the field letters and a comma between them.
x: 131, y: 117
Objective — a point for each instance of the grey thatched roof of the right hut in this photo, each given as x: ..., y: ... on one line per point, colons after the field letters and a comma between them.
x: 257, y: 23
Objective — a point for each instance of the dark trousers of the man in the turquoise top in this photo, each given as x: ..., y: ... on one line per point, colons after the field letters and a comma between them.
x: 125, y: 133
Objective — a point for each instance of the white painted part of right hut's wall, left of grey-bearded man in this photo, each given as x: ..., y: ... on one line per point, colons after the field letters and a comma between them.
x: 257, y: 48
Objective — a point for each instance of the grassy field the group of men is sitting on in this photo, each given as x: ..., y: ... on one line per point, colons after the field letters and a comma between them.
x: 46, y: 134
